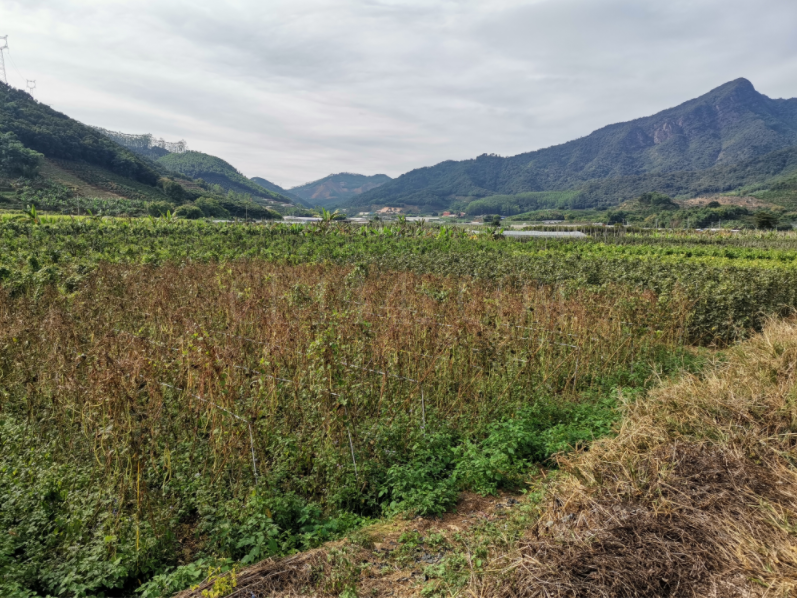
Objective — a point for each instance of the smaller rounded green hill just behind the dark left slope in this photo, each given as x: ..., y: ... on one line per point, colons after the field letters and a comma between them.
x: 216, y: 171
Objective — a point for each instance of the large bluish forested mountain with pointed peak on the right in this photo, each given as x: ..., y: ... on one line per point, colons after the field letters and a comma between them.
x: 731, y: 124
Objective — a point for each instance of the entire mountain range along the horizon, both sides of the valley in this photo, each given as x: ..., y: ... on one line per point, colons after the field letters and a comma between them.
x: 730, y: 139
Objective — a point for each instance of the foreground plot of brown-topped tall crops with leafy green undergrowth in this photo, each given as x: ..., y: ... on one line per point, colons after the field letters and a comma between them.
x: 229, y: 409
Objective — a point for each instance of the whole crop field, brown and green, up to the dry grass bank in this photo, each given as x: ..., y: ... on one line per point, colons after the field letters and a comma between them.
x: 178, y: 398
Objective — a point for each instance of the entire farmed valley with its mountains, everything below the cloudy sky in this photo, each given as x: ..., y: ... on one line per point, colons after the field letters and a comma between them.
x: 212, y: 385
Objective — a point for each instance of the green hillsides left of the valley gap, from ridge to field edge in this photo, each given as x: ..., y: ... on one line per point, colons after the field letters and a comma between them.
x: 60, y: 165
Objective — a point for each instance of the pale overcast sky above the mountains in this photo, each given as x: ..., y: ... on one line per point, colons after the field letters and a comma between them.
x: 293, y: 90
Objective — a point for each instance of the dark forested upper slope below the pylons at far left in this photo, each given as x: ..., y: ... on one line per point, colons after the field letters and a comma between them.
x: 40, y: 128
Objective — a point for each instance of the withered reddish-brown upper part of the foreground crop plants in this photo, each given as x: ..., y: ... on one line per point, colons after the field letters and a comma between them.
x: 291, y: 341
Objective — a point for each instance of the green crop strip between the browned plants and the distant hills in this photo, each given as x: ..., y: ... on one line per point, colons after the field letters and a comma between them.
x: 734, y: 281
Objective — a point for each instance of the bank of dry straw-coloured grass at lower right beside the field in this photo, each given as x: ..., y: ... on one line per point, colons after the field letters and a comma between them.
x: 697, y: 496
